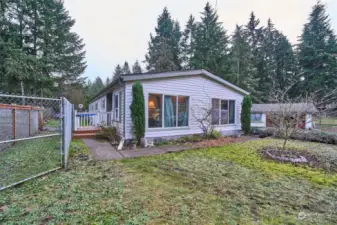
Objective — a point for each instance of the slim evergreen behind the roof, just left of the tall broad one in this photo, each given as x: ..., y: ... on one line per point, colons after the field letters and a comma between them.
x: 188, y: 42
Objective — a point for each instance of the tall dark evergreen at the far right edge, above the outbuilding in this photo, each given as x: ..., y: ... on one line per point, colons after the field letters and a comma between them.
x: 317, y: 52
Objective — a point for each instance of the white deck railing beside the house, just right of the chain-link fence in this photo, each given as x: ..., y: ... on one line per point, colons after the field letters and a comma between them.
x: 89, y: 120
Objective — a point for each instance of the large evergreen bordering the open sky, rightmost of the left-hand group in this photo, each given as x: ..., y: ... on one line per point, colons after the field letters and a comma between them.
x: 67, y: 55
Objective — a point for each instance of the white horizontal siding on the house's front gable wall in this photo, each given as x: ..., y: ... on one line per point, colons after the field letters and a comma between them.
x: 200, y: 91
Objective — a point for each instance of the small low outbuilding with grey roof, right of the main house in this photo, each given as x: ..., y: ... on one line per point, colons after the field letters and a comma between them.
x: 260, y: 113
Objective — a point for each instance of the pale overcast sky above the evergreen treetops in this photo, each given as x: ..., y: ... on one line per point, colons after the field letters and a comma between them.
x: 115, y: 31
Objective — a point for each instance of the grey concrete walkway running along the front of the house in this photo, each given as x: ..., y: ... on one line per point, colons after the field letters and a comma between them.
x: 103, y: 150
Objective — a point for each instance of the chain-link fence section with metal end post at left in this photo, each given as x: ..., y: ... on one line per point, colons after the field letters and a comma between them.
x: 35, y: 135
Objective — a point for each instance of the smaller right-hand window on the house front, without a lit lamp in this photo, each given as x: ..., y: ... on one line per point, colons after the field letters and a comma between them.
x: 223, y: 111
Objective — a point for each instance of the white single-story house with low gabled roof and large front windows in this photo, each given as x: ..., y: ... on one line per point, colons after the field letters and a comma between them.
x: 174, y: 102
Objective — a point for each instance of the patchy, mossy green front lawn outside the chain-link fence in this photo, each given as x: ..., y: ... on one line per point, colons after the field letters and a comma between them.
x: 227, y: 185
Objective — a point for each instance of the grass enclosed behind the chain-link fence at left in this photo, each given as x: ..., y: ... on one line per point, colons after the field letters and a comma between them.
x: 28, y: 158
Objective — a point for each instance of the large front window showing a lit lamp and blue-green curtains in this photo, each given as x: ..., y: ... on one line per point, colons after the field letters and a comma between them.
x: 167, y: 111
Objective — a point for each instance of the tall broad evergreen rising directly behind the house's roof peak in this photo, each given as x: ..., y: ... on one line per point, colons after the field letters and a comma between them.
x: 211, y: 44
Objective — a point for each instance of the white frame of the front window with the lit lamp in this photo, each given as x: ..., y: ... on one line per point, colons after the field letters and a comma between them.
x: 163, y: 113
